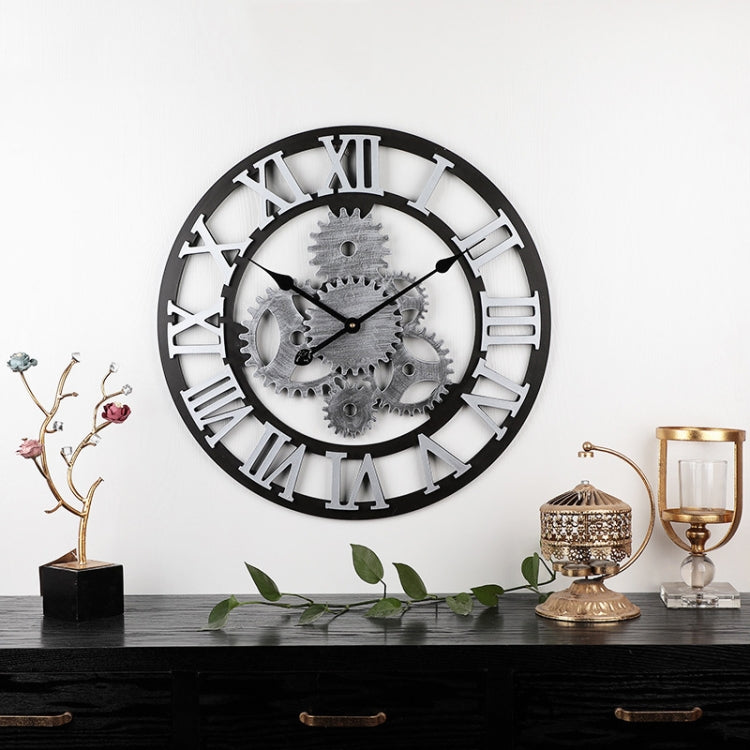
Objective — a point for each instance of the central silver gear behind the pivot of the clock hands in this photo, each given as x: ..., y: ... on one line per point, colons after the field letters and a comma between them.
x: 375, y: 340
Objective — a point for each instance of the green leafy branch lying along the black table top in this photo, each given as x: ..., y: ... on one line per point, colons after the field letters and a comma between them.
x: 369, y: 568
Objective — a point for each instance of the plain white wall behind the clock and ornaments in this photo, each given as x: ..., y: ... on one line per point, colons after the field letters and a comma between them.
x: 620, y: 130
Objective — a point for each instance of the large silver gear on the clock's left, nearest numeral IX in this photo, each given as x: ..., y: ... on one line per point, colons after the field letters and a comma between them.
x: 278, y: 370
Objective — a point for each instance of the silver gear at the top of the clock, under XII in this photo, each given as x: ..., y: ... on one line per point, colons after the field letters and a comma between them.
x: 349, y: 246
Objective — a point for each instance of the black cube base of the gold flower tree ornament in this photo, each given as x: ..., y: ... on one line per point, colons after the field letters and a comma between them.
x: 73, y: 593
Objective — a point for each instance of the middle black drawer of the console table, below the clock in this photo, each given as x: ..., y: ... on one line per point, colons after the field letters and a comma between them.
x: 435, y: 710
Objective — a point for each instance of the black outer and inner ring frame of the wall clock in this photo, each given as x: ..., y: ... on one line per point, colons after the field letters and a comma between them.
x: 450, y: 403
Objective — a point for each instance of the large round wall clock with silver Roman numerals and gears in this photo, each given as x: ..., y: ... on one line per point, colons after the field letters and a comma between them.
x: 354, y: 322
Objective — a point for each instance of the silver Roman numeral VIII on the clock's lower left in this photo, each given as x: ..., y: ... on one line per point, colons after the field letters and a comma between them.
x: 206, y: 402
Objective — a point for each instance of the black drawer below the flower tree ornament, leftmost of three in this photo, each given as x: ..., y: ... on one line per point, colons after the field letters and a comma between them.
x: 106, y: 710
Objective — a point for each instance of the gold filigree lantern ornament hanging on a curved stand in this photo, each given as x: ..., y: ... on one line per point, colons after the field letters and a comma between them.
x: 587, y: 534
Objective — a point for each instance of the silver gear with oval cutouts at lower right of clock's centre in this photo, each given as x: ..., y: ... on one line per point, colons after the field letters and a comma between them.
x: 408, y: 370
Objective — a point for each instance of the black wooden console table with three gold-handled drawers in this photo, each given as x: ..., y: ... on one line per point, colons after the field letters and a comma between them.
x: 500, y: 678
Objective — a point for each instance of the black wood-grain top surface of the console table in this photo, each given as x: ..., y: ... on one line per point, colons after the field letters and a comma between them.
x: 176, y: 621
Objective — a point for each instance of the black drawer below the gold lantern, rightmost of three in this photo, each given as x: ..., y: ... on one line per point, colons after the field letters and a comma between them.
x: 565, y: 711
